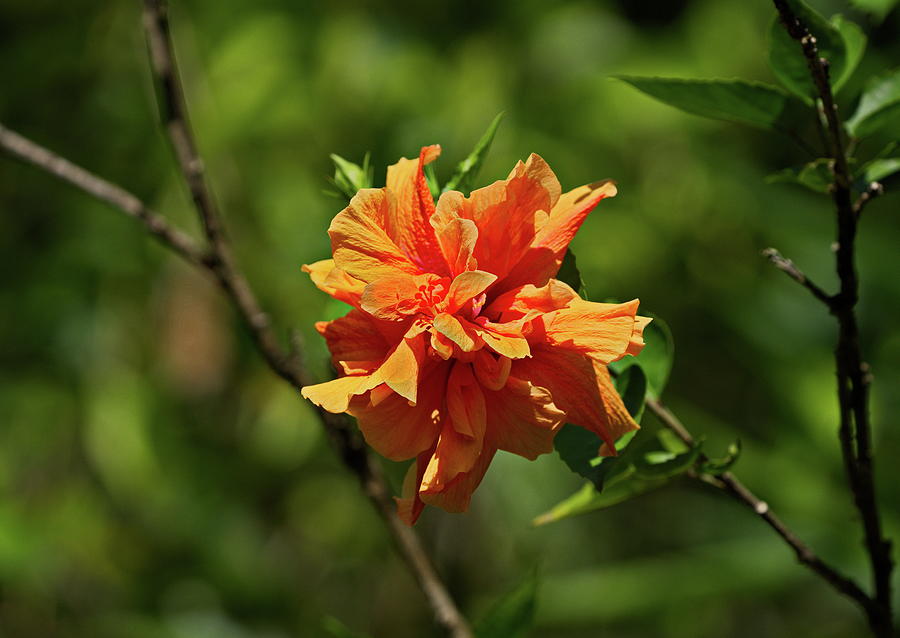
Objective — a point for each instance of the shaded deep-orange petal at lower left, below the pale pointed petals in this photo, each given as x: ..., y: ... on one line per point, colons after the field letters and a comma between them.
x: 397, y: 430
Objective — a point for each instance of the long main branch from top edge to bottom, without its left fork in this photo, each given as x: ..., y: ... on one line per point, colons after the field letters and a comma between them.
x: 162, y: 56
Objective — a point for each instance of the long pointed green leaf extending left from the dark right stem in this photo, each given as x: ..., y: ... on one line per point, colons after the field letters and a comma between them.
x: 739, y: 101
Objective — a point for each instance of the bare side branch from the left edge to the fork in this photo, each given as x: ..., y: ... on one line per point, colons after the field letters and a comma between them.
x: 27, y: 151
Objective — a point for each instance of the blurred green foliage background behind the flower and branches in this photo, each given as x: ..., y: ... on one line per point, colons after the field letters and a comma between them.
x: 156, y: 480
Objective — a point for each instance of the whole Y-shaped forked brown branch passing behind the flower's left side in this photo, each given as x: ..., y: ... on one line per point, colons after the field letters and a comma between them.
x: 218, y: 261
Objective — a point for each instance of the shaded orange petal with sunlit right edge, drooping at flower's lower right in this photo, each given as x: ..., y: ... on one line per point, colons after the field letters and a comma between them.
x: 577, y: 385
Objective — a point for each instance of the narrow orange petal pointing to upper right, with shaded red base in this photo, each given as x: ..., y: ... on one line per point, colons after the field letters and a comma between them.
x: 544, y: 257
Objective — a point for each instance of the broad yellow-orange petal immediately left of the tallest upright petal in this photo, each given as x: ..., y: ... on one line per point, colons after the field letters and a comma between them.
x: 359, y: 243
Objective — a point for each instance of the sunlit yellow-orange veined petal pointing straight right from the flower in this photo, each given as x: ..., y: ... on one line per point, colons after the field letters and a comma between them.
x: 602, y: 331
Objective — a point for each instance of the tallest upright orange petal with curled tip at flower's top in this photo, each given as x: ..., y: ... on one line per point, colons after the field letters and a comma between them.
x: 408, y: 224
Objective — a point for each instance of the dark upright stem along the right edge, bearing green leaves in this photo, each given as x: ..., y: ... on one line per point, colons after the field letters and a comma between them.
x: 852, y: 373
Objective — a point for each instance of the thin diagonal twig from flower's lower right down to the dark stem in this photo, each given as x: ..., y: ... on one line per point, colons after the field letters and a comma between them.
x: 729, y: 483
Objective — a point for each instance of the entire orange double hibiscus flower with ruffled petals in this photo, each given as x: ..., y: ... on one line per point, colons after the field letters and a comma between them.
x: 460, y: 342
